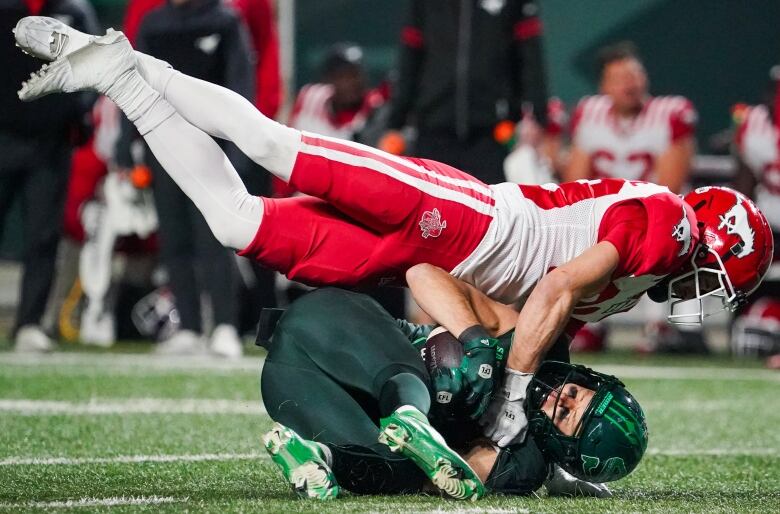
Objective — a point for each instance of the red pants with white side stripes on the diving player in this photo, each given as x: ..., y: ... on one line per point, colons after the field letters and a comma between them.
x: 369, y: 216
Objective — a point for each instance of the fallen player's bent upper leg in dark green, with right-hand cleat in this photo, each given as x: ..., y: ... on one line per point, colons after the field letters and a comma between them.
x: 383, y: 367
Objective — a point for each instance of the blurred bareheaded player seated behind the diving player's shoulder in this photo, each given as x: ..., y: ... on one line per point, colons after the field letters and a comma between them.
x: 626, y: 133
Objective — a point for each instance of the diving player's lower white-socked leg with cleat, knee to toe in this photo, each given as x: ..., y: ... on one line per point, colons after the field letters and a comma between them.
x: 194, y: 161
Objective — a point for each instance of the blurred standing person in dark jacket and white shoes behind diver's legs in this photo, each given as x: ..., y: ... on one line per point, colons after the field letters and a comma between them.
x: 210, y: 41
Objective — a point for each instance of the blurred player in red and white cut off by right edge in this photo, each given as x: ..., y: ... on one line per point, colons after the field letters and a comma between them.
x: 756, y: 329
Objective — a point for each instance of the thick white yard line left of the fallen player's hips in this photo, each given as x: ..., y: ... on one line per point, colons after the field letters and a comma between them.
x: 111, y: 406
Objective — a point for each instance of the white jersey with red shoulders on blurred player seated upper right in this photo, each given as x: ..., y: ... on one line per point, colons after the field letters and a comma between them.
x: 628, y: 147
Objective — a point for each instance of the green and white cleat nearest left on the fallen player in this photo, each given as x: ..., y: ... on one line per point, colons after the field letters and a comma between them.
x: 301, y: 462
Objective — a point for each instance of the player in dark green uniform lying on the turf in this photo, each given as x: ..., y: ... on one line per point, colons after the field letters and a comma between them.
x: 328, y: 400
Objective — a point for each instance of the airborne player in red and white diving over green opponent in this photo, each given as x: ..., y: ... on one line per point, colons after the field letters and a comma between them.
x: 569, y: 254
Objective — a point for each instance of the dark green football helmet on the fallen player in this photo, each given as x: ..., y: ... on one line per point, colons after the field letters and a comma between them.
x: 611, y: 436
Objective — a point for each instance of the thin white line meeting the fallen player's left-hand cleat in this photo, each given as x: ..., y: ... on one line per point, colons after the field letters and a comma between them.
x: 129, y: 459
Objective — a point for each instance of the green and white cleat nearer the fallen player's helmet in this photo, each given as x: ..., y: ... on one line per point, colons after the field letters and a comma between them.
x: 408, y: 432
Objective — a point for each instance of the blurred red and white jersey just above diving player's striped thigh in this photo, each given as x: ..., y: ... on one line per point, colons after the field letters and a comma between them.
x: 312, y: 112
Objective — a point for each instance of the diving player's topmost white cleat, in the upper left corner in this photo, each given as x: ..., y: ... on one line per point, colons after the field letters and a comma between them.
x: 48, y: 38
